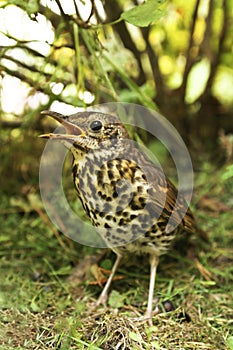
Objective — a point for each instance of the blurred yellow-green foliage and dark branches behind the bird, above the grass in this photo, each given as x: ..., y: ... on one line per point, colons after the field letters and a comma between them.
x: 172, y: 56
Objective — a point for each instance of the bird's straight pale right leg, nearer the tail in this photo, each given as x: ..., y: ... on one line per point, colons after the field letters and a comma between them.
x: 154, y: 261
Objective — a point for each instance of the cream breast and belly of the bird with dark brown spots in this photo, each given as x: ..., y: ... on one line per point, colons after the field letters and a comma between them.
x: 123, y: 210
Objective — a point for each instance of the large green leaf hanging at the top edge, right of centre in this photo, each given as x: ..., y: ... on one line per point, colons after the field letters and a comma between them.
x: 145, y: 14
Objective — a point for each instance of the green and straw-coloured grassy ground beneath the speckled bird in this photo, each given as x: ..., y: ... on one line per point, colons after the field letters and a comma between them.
x: 41, y: 309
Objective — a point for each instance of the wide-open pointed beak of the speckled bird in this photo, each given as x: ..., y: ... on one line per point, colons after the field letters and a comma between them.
x: 72, y: 130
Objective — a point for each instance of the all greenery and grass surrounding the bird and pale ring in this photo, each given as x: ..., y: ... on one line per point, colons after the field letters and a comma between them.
x: 173, y: 56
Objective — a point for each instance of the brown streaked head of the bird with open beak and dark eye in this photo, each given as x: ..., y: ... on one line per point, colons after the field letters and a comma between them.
x: 87, y: 130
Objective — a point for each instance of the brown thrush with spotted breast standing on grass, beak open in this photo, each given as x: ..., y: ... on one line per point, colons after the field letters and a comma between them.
x: 127, y: 197
